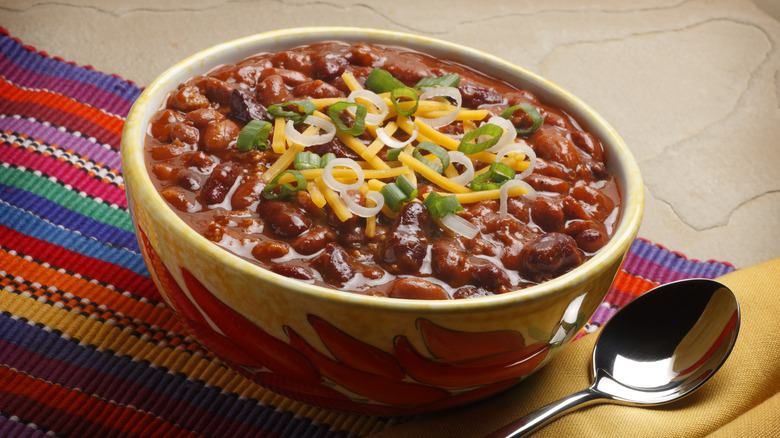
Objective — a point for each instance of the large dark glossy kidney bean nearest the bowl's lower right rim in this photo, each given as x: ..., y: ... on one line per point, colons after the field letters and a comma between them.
x: 551, y: 254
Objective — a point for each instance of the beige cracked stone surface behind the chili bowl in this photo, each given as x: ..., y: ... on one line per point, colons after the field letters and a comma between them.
x: 692, y: 86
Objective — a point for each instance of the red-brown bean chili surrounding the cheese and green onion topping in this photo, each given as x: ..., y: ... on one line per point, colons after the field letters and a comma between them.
x: 217, y: 189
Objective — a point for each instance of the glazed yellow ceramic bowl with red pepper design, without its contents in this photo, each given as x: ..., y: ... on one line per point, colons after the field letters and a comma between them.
x: 357, y: 353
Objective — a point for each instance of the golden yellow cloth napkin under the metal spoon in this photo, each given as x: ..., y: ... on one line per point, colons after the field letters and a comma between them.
x: 741, y: 400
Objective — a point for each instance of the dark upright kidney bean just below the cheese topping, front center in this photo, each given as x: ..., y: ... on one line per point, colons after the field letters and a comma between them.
x: 407, y: 244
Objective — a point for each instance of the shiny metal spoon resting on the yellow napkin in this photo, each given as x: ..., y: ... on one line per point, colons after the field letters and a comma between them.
x: 656, y: 349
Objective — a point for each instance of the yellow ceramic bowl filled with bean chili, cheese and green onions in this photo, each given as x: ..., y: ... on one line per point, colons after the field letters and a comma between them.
x: 372, y: 221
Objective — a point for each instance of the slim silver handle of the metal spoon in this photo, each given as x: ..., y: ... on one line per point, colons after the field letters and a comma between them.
x: 545, y: 414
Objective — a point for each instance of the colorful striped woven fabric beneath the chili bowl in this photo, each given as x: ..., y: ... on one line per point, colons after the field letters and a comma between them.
x: 87, y: 347
